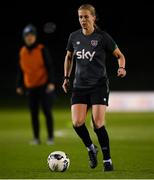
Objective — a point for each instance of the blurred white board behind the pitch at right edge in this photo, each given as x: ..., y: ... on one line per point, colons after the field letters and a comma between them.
x: 131, y: 101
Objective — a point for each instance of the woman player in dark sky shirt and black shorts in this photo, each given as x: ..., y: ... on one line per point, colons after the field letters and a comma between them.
x: 88, y: 47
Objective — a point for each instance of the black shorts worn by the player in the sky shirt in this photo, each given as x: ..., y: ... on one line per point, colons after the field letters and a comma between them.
x: 93, y: 96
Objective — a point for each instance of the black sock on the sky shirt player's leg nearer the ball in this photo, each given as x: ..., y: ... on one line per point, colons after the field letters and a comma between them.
x: 83, y: 133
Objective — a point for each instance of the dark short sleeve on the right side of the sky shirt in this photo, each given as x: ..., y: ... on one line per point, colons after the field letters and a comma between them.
x: 110, y: 44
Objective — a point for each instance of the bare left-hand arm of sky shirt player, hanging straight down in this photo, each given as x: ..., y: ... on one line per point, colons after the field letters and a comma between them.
x: 68, y: 64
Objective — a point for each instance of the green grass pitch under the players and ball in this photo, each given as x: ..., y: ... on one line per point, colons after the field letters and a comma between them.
x: 131, y: 139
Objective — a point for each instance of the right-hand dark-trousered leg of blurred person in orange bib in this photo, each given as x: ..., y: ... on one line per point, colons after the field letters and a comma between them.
x: 46, y: 102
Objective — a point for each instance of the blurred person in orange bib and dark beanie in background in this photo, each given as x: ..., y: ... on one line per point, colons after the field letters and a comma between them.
x: 35, y: 73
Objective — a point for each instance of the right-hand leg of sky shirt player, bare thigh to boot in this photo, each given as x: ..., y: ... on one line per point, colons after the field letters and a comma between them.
x: 98, y: 114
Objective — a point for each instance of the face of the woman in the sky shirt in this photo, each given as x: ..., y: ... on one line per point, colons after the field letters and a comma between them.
x: 86, y: 19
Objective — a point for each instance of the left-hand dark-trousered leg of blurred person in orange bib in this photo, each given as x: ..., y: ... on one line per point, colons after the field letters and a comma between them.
x: 34, y: 111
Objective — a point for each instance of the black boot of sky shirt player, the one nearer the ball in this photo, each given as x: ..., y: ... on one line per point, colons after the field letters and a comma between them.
x: 93, y: 157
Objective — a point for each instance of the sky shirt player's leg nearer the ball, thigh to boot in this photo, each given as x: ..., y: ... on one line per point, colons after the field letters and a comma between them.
x: 79, y: 112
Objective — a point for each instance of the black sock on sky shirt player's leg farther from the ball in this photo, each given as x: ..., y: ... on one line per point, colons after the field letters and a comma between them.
x: 103, y: 139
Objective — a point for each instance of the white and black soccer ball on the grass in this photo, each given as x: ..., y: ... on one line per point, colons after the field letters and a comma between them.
x: 58, y: 161
